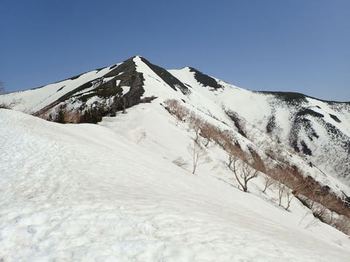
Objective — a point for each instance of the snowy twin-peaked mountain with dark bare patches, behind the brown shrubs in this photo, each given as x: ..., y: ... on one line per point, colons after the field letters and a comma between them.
x: 317, y: 131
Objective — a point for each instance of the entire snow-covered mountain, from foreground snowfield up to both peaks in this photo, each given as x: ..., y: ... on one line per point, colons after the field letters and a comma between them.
x: 125, y: 182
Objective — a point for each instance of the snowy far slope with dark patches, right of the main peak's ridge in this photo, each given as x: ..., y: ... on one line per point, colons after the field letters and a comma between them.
x: 318, y: 131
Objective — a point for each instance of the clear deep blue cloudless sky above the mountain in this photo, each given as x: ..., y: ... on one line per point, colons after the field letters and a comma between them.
x: 287, y: 45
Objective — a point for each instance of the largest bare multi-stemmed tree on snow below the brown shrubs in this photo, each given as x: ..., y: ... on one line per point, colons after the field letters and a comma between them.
x: 243, y: 173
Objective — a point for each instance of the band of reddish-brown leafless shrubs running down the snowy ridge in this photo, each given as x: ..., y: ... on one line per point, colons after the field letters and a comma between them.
x: 289, y: 180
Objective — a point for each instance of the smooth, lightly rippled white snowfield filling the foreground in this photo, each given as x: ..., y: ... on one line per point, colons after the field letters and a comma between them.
x: 107, y: 193
